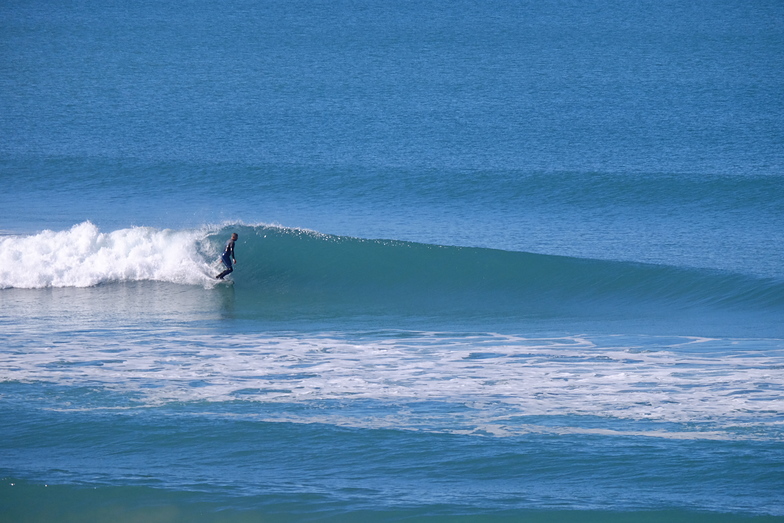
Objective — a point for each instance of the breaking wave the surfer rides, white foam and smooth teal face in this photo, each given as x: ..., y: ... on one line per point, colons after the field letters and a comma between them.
x: 312, y: 267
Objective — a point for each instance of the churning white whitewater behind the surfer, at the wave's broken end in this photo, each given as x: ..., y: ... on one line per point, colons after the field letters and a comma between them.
x: 84, y: 256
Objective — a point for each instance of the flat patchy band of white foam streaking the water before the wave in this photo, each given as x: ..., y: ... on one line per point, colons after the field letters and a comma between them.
x: 498, y: 379
